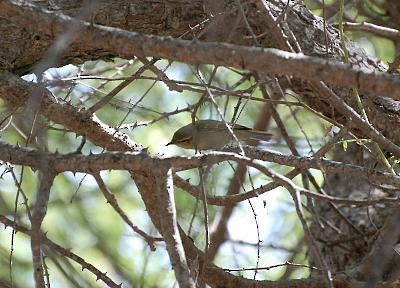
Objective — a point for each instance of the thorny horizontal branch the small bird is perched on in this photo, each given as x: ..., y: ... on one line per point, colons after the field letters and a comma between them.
x: 139, y: 161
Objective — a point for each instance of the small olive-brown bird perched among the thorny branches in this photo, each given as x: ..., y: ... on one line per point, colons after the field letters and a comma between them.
x: 213, y: 135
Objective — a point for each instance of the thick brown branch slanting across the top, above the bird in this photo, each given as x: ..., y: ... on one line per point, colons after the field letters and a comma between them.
x: 128, y: 44
